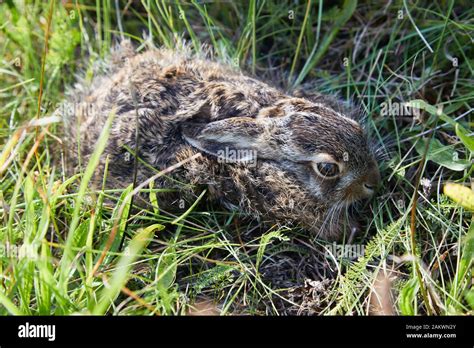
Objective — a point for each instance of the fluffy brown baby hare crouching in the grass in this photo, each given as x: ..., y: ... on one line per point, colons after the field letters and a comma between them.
x: 282, y: 158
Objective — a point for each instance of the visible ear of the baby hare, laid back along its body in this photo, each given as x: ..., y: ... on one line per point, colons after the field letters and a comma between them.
x: 239, y: 139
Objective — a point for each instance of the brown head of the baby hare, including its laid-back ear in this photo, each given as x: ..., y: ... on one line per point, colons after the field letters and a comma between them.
x: 324, y: 153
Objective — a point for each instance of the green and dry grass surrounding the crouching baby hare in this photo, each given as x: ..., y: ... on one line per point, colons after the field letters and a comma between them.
x: 60, y: 240
